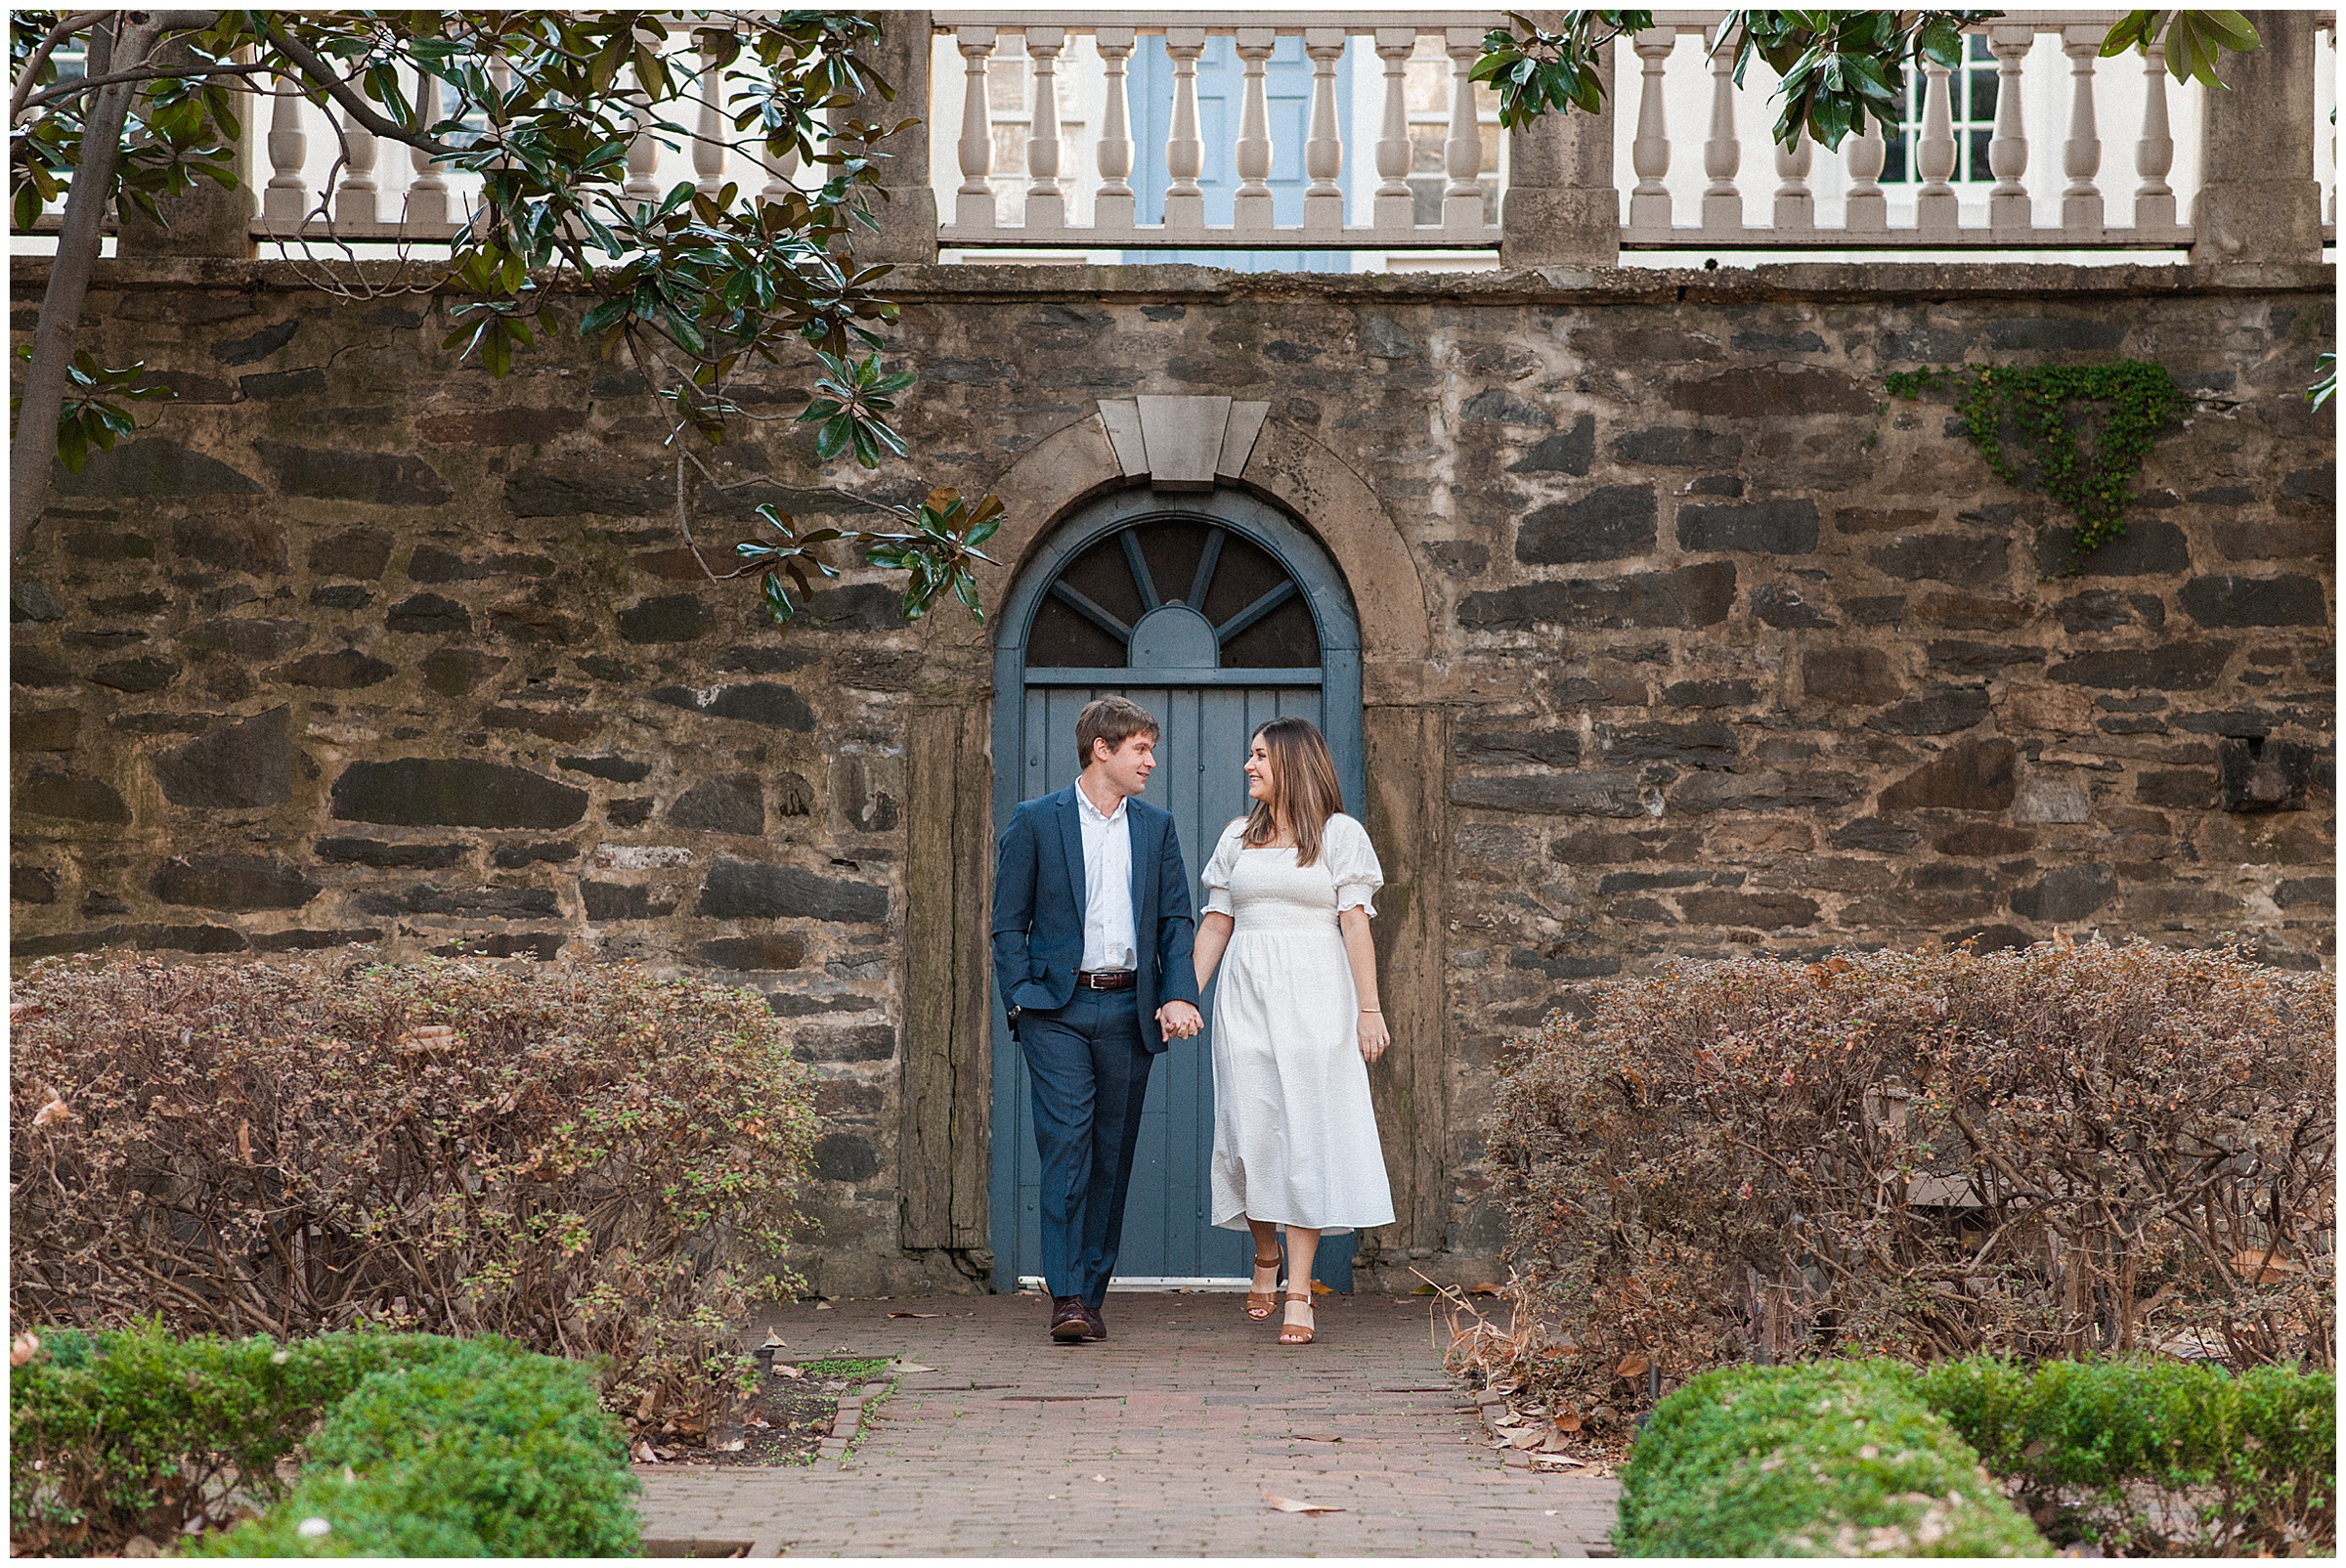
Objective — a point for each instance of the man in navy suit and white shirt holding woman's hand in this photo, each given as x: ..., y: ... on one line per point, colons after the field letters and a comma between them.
x: 1092, y: 957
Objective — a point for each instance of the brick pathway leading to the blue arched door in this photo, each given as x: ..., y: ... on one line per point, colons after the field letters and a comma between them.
x: 1158, y: 1442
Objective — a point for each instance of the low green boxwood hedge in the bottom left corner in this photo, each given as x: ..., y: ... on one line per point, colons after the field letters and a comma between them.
x: 430, y: 1447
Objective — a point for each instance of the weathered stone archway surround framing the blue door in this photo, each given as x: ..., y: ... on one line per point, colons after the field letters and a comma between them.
x: 1406, y: 738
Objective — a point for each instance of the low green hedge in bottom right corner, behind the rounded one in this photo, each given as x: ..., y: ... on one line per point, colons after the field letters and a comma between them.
x: 2155, y: 1457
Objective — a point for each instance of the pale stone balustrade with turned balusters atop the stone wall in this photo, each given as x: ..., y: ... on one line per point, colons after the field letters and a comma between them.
x: 1390, y: 149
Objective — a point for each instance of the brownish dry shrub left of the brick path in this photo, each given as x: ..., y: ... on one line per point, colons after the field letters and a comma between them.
x: 585, y: 1161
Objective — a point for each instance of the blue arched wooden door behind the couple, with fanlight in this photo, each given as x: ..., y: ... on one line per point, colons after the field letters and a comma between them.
x: 1214, y: 614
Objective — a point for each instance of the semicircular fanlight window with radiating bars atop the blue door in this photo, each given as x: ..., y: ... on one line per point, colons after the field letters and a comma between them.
x: 1174, y: 595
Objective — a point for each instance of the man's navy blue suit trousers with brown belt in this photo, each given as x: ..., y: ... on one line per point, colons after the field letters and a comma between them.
x: 1090, y: 1074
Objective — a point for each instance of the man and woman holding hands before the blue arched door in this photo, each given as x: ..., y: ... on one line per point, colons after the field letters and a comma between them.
x: 1101, y: 966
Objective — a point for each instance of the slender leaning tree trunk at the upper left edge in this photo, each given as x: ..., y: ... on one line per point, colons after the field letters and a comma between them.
x: 79, y: 241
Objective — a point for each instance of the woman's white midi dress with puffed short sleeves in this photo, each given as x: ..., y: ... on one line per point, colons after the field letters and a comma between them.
x: 1294, y: 1133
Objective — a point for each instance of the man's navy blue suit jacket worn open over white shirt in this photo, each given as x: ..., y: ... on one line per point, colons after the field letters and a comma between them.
x: 1040, y: 910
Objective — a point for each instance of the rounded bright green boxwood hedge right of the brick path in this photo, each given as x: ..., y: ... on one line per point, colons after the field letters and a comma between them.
x: 1838, y: 1459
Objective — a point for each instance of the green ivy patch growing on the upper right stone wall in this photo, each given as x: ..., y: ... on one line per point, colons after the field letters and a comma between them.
x: 2052, y: 410
